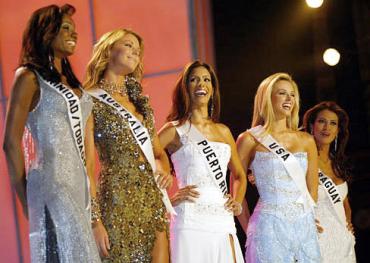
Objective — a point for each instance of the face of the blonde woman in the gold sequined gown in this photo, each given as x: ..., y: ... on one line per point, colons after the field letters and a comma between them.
x: 125, y: 55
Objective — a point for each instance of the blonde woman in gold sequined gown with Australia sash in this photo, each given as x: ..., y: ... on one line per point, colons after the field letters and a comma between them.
x: 129, y: 217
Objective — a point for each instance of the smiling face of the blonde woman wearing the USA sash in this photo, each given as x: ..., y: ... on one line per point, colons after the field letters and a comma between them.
x: 283, y: 99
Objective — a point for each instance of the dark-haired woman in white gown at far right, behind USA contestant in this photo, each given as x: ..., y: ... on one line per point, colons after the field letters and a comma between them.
x: 328, y: 123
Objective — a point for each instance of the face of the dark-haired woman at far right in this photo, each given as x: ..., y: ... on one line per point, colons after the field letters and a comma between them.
x: 325, y: 127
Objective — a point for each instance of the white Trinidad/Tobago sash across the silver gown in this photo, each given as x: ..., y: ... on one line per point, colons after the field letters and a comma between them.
x: 75, y: 121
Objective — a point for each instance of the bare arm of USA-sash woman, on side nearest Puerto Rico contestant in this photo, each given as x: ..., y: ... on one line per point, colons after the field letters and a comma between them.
x: 245, y: 148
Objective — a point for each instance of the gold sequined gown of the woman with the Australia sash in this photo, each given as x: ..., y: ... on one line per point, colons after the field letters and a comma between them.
x: 130, y: 202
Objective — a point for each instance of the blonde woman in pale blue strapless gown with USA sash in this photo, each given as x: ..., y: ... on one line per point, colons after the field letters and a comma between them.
x: 284, y: 163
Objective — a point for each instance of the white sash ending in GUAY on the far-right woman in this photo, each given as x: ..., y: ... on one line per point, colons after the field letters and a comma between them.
x: 334, y: 196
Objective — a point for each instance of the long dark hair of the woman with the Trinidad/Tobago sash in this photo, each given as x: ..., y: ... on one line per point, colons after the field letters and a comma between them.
x: 37, y: 53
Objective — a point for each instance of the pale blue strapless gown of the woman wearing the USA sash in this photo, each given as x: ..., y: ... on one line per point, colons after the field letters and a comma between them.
x: 280, y: 230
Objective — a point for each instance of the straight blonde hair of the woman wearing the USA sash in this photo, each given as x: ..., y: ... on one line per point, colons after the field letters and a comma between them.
x: 263, y: 112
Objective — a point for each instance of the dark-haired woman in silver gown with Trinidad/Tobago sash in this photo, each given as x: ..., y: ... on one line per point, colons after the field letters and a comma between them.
x: 47, y: 97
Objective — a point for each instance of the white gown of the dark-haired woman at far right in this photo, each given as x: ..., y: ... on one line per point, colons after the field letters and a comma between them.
x: 336, y: 242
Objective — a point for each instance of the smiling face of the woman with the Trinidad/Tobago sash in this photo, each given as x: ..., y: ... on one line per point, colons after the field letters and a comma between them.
x: 65, y: 42
